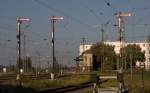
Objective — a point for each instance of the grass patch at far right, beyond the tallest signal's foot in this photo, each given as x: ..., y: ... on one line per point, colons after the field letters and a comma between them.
x: 135, y: 84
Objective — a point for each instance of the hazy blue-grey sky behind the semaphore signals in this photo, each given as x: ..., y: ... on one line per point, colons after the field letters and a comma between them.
x: 82, y: 18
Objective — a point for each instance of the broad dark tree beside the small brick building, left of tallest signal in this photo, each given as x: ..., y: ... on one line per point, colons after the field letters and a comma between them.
x: 105, y: 56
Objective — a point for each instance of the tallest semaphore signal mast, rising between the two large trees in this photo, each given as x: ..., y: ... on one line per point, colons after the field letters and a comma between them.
x: 121, y: 30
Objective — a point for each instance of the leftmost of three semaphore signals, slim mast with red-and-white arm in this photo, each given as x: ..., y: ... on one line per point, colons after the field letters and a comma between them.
x: 19, y: 22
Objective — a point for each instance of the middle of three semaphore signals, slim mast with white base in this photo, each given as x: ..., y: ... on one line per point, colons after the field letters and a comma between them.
x: 53, y: 21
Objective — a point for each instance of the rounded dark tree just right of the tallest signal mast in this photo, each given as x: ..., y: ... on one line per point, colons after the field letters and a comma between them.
x: 133, y: 53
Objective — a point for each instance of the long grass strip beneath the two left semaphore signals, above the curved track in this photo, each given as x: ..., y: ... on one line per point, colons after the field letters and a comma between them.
x: 32, y: 85
